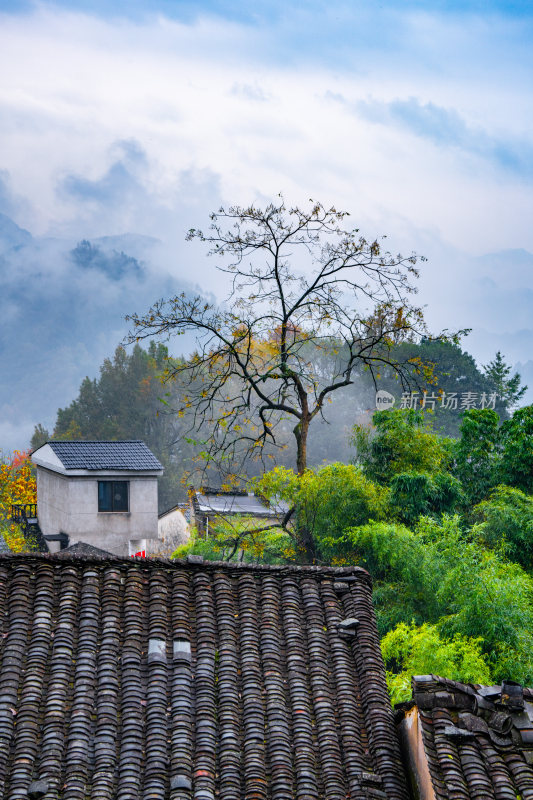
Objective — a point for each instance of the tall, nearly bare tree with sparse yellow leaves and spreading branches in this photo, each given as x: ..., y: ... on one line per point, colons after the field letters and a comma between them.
x: 300, y: 284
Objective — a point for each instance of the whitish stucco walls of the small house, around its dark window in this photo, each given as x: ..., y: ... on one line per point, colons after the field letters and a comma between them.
x: 69, y: 504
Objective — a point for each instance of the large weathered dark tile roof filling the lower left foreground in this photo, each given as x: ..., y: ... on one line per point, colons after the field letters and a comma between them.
x: 122, y: 678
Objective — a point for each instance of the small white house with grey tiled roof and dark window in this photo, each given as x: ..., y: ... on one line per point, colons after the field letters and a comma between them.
x: 100, y: 493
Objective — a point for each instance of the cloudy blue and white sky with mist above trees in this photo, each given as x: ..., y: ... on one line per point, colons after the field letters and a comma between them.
x: 126, y: 123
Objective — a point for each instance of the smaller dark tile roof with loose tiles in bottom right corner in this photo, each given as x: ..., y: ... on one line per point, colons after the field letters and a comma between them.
x: 477, y: 740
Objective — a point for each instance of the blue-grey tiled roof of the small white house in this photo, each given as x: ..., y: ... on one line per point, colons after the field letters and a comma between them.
x: 127, y: 455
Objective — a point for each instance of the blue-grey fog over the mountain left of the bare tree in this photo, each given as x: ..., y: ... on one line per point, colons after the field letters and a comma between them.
x: 62, y: 307
